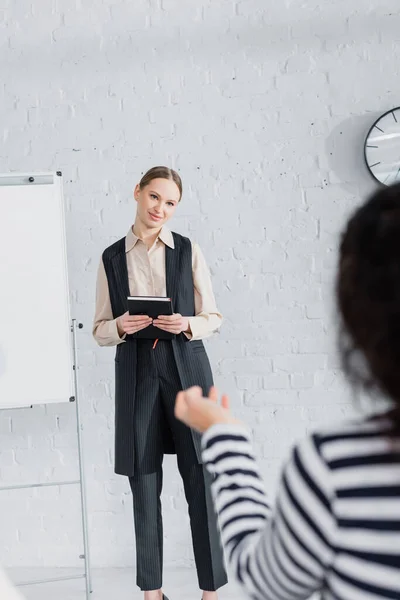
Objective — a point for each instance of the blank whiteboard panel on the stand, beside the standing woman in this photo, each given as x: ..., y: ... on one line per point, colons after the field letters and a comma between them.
x: 36, y: 352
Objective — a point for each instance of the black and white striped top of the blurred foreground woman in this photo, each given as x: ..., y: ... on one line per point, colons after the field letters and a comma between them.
x: 335, y: 527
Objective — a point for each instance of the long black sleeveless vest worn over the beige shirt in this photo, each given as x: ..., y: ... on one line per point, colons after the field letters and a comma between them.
x: 191, y: 359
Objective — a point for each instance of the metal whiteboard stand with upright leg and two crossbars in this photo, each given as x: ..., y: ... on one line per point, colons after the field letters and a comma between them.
x: 80, y: 482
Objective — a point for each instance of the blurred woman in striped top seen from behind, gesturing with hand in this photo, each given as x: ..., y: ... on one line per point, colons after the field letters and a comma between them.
x: 335, y: 527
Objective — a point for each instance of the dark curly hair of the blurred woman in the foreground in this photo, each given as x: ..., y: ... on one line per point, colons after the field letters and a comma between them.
x: 368, y: 293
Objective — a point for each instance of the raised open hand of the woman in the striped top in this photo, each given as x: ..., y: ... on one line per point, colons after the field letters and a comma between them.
x: 200, y: 413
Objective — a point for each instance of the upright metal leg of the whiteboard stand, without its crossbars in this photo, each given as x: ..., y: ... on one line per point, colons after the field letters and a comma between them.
x: 86, y: 555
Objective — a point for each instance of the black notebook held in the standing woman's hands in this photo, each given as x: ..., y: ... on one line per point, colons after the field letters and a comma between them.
x: 152, y: 306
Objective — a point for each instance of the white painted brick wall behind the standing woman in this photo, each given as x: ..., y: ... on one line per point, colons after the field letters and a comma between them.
x: 262, y: 106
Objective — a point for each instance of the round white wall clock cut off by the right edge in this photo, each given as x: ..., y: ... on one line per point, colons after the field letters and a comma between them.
x: 382, y: 148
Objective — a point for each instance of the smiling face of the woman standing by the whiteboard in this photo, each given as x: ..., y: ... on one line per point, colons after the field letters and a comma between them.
x: 157, y: 202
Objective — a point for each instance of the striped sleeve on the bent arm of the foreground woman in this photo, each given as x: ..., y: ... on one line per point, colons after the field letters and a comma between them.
x: 280, y: 554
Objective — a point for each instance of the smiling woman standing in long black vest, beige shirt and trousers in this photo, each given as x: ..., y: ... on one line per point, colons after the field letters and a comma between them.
x: 153, y: 261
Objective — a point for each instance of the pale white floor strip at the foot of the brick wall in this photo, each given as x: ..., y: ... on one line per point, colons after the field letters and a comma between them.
x: 111, y: 584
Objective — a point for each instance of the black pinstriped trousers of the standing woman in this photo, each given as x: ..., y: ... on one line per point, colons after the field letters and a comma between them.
x: 157, y: 387
